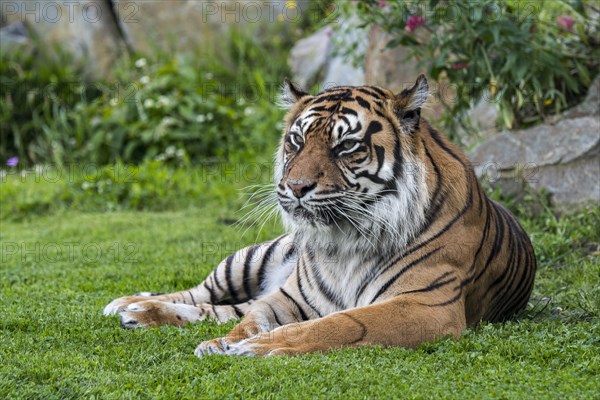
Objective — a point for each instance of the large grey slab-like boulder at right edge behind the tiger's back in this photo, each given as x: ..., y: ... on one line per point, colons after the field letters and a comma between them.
x: 562, y: 158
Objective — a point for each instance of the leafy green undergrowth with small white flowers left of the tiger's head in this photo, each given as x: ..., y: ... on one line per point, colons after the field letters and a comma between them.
x: 213, y: 104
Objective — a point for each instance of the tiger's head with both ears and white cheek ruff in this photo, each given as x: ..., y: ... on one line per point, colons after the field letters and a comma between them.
x: 348, y: 169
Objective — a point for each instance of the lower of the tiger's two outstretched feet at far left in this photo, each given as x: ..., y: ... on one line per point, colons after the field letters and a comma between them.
x: 152, y: 313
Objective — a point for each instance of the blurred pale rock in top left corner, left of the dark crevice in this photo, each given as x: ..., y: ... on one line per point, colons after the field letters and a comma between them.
x: 86, y: 29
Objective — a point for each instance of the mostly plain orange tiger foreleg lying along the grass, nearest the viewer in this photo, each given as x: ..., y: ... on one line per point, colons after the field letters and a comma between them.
x: 404, y: 321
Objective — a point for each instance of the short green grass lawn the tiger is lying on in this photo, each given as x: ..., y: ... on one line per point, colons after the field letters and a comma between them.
x: 60, y: 270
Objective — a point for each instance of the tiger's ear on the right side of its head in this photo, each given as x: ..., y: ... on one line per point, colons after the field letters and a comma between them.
x: 408, y: 104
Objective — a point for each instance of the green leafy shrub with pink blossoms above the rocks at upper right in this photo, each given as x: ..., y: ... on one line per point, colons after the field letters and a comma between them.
x: 530, y: 58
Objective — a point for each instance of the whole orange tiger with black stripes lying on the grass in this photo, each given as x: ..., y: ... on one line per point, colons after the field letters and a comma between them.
x: 391, y: 240
